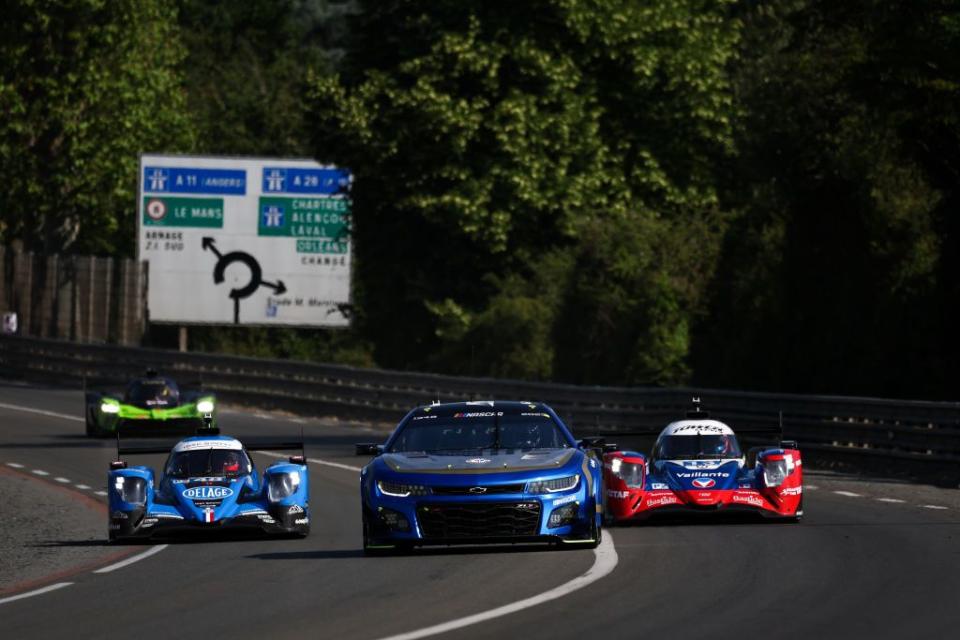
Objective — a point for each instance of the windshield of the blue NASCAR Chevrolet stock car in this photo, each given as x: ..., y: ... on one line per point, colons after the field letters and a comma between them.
x: 476, y: 430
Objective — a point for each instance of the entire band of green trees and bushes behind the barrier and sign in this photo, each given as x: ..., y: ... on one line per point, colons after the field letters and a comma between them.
x: 739, y: 194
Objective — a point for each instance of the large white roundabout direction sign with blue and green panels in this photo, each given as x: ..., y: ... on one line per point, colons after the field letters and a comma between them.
x: 245, y: 240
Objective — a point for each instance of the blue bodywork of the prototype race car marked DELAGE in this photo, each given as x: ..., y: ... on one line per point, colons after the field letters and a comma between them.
x: 206, y: 502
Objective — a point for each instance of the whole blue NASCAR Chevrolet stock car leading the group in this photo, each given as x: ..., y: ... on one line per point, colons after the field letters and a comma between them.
x: 478, y: 472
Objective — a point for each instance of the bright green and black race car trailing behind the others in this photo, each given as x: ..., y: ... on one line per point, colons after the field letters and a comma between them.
x: 151, y: 404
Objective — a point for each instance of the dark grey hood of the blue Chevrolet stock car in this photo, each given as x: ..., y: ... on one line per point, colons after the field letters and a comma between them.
x: 488, y: 461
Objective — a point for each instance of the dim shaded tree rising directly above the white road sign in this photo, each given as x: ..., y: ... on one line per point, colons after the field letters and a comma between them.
x: 246, y: 68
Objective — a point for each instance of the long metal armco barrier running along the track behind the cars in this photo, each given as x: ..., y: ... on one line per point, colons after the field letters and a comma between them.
x: 918, y: 437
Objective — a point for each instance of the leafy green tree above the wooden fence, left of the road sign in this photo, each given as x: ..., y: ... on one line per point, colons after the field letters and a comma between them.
x: 85, y: 87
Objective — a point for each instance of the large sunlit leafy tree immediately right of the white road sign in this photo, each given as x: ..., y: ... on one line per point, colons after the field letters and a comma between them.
x: 498, y: 147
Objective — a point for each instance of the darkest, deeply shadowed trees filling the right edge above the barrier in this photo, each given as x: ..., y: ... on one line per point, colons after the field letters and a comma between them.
x: 836, y: 274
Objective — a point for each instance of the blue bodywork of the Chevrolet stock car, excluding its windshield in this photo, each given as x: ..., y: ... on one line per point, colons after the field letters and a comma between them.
x: 485, y: 495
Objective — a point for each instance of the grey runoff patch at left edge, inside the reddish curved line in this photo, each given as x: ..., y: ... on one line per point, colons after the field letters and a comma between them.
x: 47, y: 532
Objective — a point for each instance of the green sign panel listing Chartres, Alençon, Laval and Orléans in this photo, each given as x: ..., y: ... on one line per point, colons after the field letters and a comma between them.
x: 316, y: 219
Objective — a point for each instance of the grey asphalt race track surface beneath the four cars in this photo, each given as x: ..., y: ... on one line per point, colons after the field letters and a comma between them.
x: 870, y: 559
